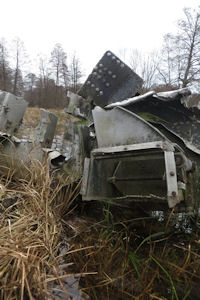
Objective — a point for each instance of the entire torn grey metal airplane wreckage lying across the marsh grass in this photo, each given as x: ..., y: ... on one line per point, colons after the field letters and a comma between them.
x: 126, y: 147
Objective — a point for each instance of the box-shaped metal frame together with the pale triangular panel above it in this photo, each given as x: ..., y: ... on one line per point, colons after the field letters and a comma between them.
x: 134, y: 159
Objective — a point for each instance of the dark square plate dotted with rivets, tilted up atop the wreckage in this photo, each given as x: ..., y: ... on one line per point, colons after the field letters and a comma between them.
x: 110, y: 81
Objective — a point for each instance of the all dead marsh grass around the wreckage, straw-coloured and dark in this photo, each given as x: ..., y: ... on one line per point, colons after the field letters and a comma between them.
x: 117, y: 253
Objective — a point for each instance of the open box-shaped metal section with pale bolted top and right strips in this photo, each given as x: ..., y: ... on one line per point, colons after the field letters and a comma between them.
x: 139, y: 173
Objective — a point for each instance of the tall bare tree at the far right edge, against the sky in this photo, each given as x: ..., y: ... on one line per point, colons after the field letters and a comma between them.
x: 182, y: 52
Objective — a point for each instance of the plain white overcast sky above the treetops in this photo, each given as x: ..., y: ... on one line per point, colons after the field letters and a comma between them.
x: 90, y: 27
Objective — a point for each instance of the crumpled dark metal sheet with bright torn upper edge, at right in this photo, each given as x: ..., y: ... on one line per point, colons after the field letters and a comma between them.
x: 168, y: 109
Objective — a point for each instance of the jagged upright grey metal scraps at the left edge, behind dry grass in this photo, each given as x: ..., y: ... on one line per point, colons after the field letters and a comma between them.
x: 37, y: 145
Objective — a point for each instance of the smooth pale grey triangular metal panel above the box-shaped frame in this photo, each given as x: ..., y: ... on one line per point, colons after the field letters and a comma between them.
x: 122, y: 127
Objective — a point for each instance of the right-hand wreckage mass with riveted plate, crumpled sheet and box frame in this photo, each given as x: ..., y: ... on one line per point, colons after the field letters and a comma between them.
x: 147, y: 145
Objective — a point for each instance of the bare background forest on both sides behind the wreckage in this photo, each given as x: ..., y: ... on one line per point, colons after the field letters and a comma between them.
x: 176, y: 65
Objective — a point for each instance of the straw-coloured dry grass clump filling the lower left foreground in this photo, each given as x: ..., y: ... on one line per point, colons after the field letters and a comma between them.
x: 30, y: 233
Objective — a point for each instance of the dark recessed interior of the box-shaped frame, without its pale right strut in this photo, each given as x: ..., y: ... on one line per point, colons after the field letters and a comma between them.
x: 131, y: 173
